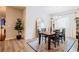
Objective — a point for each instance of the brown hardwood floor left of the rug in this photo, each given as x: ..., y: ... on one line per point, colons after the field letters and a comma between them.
x: 15, y: 46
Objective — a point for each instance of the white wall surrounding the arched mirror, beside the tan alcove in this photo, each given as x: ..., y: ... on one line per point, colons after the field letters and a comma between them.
x: 32, y: 14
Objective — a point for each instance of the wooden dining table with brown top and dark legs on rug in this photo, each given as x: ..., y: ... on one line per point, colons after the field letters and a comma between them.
x: 46, y: 34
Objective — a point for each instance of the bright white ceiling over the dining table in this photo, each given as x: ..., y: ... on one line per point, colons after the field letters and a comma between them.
x: 56, y: 9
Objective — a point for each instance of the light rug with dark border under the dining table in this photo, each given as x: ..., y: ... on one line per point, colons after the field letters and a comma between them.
x: 43, y: 47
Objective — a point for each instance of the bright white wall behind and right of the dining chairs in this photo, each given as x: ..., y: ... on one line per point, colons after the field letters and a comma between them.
x: 68, y: 22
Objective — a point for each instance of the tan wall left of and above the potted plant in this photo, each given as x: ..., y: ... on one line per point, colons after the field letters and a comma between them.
x: 11, y: 15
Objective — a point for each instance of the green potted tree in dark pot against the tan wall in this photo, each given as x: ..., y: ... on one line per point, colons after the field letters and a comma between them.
x: 19, y: 28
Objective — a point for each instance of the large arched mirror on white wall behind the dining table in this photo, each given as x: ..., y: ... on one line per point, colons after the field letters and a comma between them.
x: 39, y: 26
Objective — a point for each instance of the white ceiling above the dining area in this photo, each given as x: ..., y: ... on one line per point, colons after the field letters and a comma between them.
x: 53, y: 10
